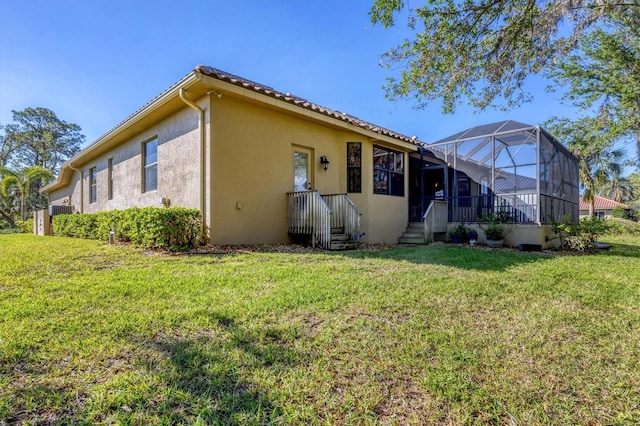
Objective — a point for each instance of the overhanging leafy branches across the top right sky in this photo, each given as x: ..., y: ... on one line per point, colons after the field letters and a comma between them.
x: 483, y: 50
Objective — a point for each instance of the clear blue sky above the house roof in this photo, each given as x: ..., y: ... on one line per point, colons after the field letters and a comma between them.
x: 94, y: 62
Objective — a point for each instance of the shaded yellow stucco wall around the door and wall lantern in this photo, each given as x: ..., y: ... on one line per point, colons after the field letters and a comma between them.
x: 252, y: 170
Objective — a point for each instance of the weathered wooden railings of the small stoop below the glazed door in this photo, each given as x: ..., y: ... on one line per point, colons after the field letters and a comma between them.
x: 309, y: 213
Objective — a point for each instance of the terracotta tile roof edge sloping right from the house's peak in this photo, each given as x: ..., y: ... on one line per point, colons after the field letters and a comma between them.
x: 301, y: 102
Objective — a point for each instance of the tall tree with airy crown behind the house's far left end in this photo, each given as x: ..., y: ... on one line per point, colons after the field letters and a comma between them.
x: 39, y: 138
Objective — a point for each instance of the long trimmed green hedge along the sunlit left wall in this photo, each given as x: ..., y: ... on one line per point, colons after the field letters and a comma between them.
x: 174, y: 228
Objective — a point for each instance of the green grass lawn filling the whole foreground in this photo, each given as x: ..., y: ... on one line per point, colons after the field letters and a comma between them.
x: 97, y: 334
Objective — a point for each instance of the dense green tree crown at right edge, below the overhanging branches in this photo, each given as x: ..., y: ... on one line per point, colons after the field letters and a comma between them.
x: 604, y: 74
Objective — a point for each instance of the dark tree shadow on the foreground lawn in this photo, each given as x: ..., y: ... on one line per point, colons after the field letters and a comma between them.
x: 212, y: 375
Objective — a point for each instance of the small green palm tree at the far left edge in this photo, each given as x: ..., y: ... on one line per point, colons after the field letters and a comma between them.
x: 20, y: 183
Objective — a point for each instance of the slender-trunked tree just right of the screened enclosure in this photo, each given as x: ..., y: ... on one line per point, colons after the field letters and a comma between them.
x: 589, y: 140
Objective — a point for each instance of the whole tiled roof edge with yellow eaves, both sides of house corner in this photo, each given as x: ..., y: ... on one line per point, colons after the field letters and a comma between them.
x: 198, y: 83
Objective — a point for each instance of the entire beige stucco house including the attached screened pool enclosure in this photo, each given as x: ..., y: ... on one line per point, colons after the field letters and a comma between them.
x: 265, y: 167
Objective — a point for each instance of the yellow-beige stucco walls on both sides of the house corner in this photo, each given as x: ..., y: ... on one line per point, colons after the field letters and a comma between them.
x: 249, y: 170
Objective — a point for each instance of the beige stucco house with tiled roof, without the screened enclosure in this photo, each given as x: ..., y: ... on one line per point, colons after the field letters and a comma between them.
x: 234, y: 149
